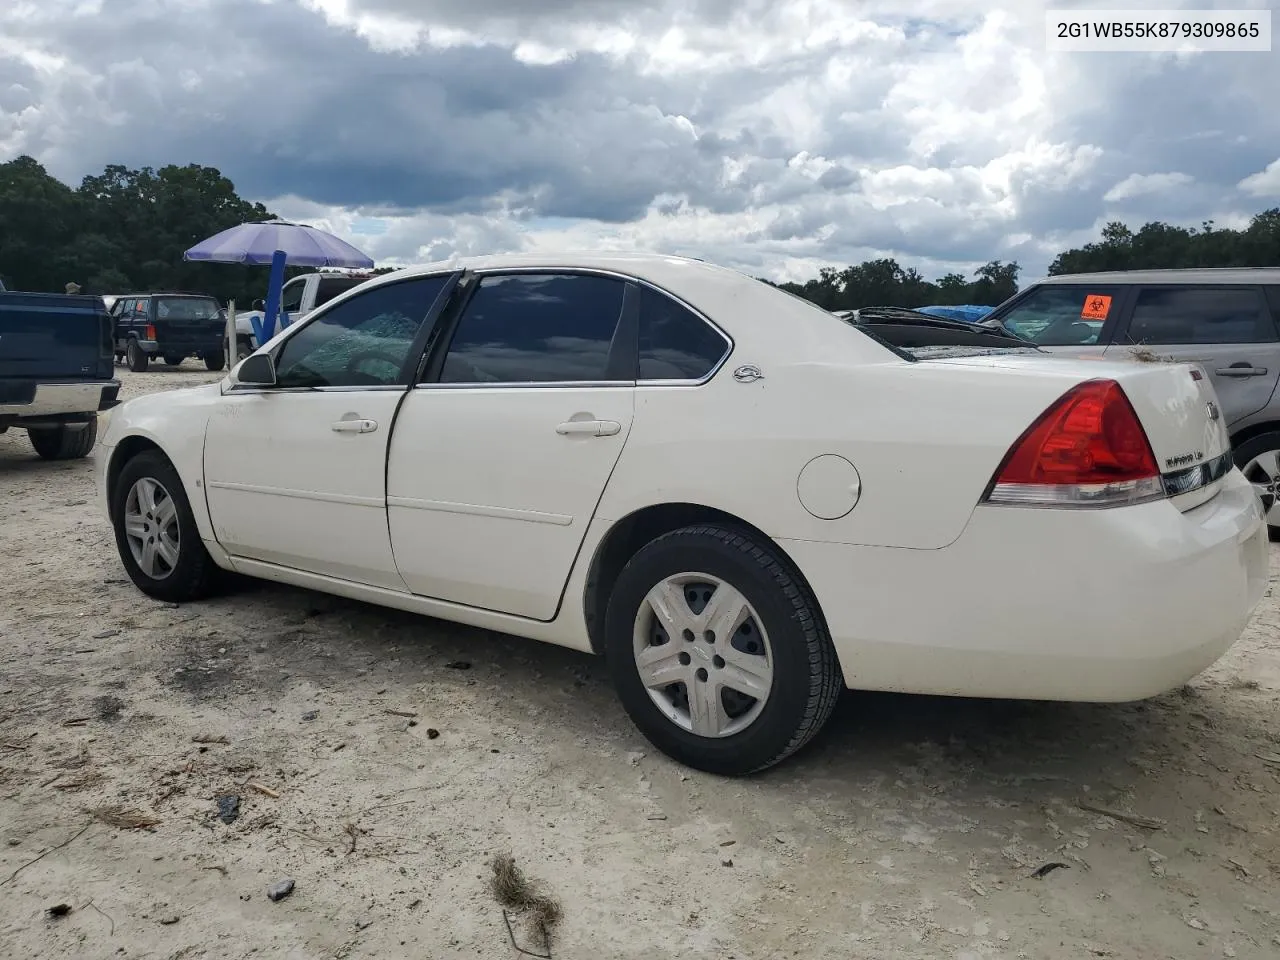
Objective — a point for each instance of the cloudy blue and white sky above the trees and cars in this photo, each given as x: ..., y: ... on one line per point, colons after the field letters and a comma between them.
x: 772, y: 136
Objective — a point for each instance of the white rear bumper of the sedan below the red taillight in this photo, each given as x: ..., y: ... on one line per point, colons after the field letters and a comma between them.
x: 1053, y: 605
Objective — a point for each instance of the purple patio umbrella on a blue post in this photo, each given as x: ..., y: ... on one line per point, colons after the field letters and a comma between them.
x: 277, y: 243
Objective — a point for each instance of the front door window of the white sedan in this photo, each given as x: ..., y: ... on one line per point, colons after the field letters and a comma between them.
x: 362, y: 342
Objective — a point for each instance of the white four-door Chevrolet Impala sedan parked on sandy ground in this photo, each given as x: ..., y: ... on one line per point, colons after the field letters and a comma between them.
x: 742, y: 501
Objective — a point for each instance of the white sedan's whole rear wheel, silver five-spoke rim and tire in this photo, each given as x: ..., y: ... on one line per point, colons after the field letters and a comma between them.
x: 719, y: 652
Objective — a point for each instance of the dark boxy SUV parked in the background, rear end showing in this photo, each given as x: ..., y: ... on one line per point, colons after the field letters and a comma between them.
x: 171, y: 326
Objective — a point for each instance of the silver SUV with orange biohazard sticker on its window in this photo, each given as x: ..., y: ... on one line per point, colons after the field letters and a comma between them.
x: 1228, y: 321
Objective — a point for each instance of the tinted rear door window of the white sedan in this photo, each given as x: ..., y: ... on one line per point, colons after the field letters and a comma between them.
x: 537, y: 328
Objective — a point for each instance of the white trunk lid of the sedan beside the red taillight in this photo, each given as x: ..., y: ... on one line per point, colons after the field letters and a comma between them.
x: 1176, y: 403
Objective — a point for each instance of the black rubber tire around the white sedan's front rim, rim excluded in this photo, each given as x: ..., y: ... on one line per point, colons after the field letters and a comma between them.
x: 195, y: 575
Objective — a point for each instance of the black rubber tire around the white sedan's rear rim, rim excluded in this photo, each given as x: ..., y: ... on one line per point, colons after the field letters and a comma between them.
x: 807, y: 678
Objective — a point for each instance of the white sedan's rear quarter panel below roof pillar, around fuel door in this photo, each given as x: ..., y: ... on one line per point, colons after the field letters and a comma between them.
x: 926, y: 440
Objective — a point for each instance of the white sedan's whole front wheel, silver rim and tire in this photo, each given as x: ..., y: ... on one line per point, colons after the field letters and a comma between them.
x: 157, y: 534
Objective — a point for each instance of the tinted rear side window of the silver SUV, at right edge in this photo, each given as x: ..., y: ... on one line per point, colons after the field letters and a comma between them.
x: 1173, y: 316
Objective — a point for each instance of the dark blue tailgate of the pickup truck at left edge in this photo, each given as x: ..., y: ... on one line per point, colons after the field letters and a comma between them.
x: 53, y: 337
